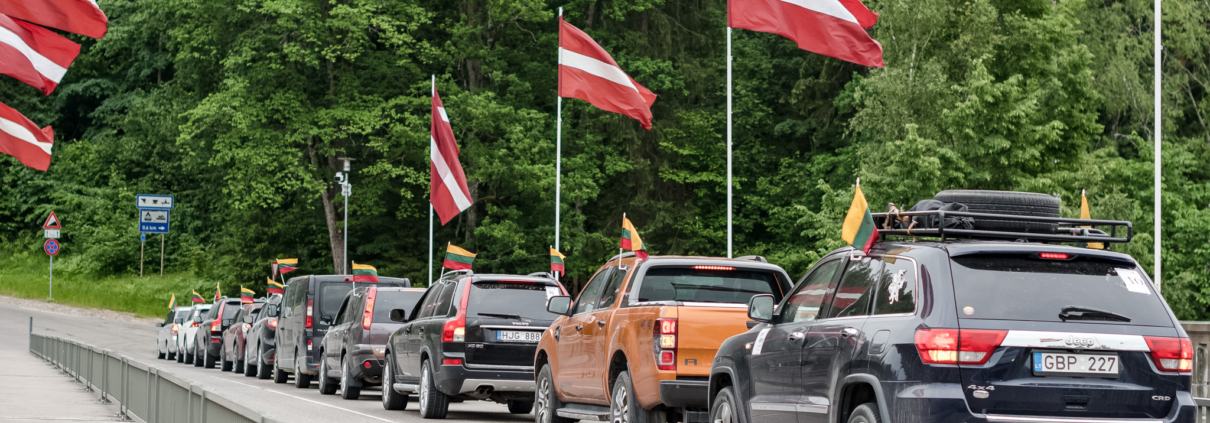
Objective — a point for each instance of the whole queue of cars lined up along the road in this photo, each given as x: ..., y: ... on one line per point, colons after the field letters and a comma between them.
x: 954, y: 316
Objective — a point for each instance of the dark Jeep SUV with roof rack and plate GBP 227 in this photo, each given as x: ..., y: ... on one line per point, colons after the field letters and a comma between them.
x: 964, y: 331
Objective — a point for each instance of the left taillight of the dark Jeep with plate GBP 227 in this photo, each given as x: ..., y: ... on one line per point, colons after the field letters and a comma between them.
x: 958, y: 346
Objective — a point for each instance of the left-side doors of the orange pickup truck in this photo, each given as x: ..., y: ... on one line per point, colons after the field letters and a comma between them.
x: 575, y: 373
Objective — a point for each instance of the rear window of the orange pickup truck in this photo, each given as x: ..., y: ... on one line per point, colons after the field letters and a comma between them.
x: 700, y: 285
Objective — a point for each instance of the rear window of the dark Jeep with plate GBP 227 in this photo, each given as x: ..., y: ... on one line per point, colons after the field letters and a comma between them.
x: 1024, y: 288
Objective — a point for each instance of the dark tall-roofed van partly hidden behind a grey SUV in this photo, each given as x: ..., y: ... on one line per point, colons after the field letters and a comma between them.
x: 309, y: 308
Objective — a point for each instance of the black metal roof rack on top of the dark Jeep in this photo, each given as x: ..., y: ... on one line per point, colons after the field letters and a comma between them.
x: 1069, y: 230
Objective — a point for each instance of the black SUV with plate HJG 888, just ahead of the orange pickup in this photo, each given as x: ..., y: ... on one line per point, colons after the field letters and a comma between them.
x: 471, y: 338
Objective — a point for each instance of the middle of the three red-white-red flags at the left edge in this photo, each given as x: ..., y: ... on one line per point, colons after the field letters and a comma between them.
x: 34, y: 55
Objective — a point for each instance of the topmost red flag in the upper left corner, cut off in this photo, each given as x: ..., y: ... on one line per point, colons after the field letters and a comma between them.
x: 82, y: 18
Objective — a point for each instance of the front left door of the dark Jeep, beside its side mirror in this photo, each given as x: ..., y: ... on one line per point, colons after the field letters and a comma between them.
x: 777, y: 352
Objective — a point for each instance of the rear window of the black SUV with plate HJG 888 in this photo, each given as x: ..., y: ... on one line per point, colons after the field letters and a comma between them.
x: 508, y: 300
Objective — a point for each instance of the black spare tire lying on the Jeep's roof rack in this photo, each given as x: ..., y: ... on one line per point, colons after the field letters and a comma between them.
x: 1006, y: 202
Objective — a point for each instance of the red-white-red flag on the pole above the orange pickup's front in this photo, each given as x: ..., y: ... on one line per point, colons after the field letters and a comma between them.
x: 589, y: 73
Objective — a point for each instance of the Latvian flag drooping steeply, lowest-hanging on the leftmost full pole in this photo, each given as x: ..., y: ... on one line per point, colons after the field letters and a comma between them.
x: 447, y: 192
